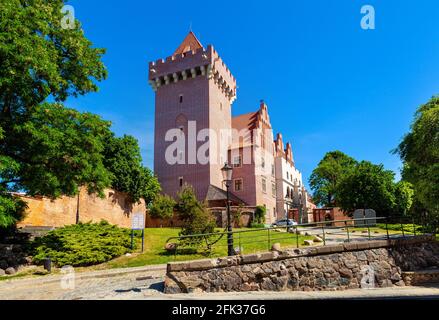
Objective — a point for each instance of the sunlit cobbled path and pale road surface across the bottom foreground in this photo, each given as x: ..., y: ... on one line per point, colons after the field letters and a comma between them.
x: 149, y: 285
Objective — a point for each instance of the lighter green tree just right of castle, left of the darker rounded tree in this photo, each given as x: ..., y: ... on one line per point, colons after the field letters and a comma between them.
x: 325, y: 178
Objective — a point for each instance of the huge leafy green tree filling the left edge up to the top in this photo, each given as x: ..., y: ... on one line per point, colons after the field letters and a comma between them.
x: 38, y: 152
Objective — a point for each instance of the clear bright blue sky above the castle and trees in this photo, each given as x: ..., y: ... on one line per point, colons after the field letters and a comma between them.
x: 328, y: 83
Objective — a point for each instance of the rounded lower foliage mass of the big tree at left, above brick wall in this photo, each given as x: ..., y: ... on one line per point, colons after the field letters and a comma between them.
x: 54, y: 150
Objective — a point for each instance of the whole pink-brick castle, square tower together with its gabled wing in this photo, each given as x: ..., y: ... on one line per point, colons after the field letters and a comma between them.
x: 195, y: 134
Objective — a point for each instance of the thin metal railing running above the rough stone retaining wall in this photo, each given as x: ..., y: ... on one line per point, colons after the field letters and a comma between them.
x: 324, y: 232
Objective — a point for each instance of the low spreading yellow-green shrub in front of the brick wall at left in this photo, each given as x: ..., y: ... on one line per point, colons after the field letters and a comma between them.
x: 83, y: 244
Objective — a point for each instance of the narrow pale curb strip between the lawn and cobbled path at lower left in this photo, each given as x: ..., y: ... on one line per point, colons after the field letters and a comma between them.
x: 86, y: 275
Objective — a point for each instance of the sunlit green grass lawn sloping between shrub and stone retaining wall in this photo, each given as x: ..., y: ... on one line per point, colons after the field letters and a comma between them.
x: 155, y: 239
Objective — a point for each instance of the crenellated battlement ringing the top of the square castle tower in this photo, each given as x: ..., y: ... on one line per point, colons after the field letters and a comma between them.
x: 192, y: 64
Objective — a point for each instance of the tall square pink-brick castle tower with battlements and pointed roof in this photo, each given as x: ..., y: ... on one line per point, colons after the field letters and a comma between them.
x: 194, y: 91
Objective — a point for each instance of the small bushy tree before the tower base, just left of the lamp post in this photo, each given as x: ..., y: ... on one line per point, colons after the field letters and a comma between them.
x: 194, y: 214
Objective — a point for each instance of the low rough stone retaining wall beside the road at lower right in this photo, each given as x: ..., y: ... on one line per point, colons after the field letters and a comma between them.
x: 335, y: 267
